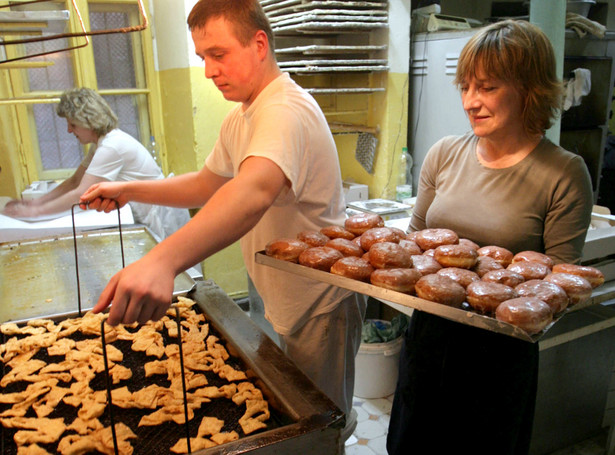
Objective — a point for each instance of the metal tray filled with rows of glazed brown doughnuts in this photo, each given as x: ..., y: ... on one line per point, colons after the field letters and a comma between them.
x: 521, y: 295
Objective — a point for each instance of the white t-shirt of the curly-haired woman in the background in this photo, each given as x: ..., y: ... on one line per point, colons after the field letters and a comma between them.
x: 120, y: 157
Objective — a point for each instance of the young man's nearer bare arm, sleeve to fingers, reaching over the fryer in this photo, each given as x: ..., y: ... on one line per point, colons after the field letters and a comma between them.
x: 143, y: 290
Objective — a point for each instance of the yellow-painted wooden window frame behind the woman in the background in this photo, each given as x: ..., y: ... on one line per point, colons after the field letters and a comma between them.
x: 146, y: 92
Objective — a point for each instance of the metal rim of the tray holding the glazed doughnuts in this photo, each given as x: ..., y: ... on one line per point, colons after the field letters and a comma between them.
x: 397, y: 298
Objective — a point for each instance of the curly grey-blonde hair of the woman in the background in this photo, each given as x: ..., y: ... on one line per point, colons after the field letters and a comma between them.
x: 87, y: 108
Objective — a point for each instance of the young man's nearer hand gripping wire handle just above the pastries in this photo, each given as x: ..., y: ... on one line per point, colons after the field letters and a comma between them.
x: 142, y: 291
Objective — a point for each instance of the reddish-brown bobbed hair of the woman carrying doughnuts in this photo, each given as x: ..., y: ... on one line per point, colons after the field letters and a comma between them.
x: 517, y: 52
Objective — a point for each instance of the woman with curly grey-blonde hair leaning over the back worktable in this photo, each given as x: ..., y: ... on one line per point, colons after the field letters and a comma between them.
x: 113, y: 156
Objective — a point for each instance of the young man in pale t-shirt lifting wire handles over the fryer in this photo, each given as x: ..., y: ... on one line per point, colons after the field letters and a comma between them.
x: 273, y: 172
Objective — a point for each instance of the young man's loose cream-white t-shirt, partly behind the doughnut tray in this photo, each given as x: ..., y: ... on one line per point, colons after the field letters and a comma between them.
x: 286, y: 125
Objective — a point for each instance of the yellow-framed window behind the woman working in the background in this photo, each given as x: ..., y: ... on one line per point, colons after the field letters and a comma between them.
x: 115, y: 64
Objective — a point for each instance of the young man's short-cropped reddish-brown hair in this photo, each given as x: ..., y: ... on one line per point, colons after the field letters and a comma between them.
x: 247, y: 17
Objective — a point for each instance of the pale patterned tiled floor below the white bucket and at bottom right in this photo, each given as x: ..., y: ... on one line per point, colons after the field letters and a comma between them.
x: 369, y: 438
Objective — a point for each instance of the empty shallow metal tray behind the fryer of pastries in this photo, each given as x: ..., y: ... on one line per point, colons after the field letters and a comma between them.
x: 38, y: 277
